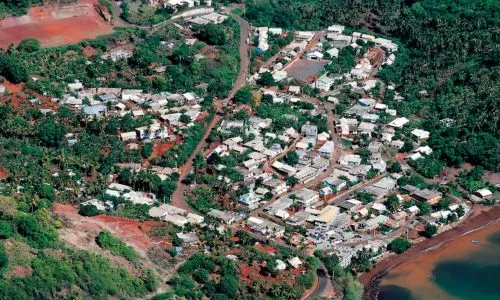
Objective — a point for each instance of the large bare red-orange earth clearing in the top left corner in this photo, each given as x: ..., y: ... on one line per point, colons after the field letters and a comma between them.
x: 55, y: 26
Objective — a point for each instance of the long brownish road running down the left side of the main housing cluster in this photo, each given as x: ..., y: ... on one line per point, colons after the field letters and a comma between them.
x: 178, y: 198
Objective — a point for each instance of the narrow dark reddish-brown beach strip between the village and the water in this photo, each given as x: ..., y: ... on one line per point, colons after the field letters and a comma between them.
x: 477, y: 222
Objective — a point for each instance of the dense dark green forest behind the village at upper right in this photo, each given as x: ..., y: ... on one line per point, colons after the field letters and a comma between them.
x: 447, y: 68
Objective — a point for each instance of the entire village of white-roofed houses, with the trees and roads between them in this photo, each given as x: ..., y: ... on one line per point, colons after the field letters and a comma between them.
x: 306, y: 152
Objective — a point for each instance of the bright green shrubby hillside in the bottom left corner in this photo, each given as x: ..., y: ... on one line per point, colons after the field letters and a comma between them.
x: 56, y: 270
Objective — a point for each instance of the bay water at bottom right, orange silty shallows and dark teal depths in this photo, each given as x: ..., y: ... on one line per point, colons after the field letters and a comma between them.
x: 458, y: 270
